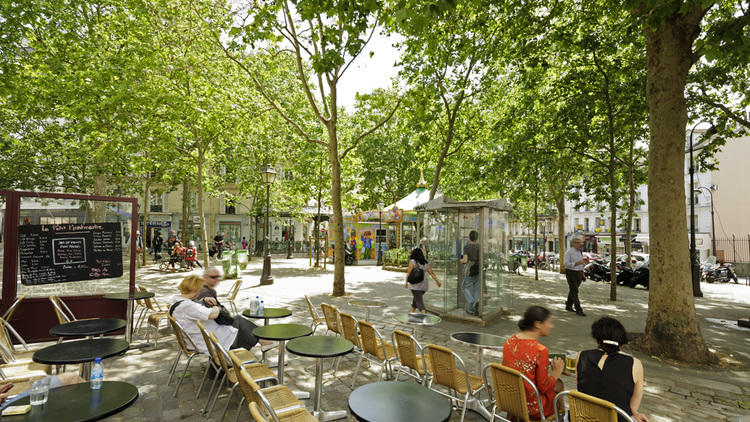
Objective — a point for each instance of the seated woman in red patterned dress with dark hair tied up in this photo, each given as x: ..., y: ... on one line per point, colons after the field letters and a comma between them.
x: 523, y: 352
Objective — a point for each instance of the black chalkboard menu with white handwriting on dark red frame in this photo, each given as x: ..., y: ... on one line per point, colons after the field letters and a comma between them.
x: 58, y: 253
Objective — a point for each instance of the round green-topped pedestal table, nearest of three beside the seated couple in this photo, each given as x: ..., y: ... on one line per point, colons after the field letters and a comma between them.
x: 321, y: 347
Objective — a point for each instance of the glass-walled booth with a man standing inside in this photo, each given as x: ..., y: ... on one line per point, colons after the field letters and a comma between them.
x: 445, y: 225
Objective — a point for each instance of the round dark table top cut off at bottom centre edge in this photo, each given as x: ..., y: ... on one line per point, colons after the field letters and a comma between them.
x: 391, y: 401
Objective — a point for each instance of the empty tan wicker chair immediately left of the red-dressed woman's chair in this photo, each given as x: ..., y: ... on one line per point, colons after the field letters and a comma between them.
x: 446, y: 373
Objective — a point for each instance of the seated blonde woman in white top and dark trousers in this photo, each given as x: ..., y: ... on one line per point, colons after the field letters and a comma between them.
x: 187, y: 312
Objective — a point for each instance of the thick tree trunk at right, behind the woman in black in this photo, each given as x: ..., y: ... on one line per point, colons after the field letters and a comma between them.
x: 672, y: 326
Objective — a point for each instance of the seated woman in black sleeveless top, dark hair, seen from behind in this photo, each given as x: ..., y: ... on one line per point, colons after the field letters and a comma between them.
x: 607, y: 373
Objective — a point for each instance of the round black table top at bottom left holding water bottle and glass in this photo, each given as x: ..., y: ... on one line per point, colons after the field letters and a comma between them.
x: 79, y: 403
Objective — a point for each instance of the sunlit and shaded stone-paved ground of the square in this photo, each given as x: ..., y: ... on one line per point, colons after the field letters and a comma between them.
x: 673, y: 393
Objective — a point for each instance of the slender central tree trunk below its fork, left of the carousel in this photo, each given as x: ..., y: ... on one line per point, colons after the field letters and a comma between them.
x: 339, y: 283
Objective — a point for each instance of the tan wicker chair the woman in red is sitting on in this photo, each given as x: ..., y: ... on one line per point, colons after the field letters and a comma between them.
x: 510, y: 393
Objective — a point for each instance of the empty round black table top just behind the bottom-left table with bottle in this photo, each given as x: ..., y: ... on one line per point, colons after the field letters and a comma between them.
x: 80, y: 351
